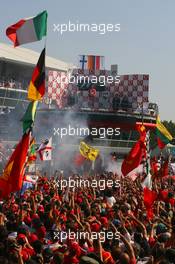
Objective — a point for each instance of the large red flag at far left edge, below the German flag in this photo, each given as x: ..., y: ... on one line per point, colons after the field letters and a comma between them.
x: 12, y: 178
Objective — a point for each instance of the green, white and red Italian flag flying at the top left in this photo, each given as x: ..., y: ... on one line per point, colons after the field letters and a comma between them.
x: 28, y: 29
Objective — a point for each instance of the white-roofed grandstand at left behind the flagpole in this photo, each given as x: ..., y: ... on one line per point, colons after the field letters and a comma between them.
x: 16, y: 66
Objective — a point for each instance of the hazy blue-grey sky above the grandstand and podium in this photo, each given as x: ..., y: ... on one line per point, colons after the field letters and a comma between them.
x: 145, y: 43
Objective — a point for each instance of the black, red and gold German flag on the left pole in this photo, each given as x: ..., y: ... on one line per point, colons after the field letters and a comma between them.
x: 37, y: 83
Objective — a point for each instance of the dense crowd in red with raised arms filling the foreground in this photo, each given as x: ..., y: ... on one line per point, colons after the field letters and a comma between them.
x: 52, y: 223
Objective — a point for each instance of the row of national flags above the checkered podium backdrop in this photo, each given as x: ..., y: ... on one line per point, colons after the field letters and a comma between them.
x: 91, y: 62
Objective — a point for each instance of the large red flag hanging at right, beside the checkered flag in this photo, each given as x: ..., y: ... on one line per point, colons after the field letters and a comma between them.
x: 135, y: 155
